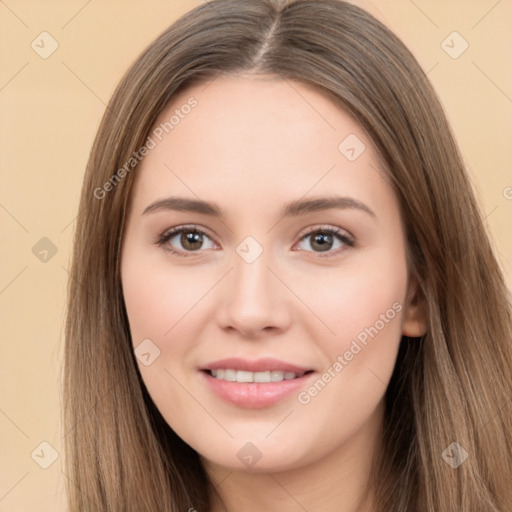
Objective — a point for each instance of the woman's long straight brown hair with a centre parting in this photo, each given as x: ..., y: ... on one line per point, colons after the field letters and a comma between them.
x: 452, y: 385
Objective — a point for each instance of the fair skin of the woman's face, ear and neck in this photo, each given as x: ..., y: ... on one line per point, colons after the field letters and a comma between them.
x: 251, y: 145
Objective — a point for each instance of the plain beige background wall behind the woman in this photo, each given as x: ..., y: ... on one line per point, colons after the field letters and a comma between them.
x: 51, y: 109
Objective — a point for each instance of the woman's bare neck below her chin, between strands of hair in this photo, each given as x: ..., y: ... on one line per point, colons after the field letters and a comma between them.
x: 337, y: 482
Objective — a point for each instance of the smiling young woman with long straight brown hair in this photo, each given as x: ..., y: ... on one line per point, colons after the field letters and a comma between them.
x: 220, y: 355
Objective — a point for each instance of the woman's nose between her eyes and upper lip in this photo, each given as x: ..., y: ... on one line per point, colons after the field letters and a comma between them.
x: 254, y: 302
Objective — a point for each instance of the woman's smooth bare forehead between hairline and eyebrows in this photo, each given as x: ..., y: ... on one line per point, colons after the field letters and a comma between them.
x: 257, y: 137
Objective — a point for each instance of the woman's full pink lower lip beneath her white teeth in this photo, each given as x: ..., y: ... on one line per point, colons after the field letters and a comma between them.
x: 255, y: 395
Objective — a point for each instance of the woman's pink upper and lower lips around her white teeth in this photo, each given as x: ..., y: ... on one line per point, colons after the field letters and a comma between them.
x: 255, y: 395
